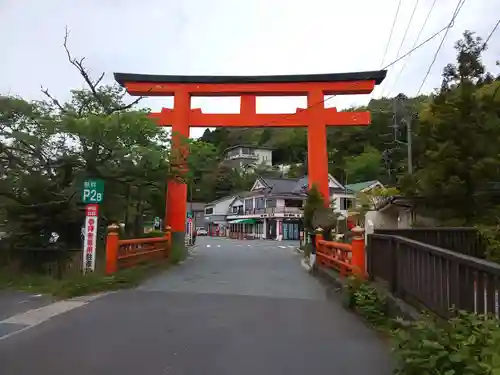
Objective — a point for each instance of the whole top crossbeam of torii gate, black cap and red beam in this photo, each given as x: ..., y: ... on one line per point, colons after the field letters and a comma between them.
x: 277, y: 85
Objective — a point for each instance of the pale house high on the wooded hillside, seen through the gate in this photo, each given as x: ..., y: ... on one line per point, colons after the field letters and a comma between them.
x: 244, y: 155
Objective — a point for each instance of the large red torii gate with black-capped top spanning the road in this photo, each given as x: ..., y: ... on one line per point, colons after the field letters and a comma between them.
x: 315, y: 117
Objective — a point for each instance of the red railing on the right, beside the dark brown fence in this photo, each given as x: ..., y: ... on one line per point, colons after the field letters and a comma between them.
x: 348, y: 259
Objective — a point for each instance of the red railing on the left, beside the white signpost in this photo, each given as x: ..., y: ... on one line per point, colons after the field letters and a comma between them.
x: 128, y: 253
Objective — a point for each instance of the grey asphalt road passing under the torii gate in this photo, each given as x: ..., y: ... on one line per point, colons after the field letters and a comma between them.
x: 234, y: 307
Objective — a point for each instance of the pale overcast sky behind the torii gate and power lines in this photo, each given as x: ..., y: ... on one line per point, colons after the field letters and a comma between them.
x: 237, y: 37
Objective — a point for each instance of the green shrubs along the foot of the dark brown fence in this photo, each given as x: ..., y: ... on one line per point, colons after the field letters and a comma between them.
x: 467, y: 344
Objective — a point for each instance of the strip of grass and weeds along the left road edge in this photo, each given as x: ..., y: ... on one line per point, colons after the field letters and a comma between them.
x: 78, y: 285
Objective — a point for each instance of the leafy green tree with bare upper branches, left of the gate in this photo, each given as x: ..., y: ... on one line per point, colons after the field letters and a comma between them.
x: 49, y: 148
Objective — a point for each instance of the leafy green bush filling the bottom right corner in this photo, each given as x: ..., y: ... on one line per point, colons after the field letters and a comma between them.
x: 466, y: 344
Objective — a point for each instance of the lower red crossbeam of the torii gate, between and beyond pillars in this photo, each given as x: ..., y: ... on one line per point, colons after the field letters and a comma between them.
x: 301, y: 118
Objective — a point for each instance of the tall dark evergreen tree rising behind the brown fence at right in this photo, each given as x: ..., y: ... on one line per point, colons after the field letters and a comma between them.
x: 457, y: 153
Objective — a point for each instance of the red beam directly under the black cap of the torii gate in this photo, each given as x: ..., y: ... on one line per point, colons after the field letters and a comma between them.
x: 259, y: 89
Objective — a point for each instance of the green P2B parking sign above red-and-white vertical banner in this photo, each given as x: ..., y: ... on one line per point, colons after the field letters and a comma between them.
x: 92, y: 195
